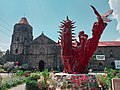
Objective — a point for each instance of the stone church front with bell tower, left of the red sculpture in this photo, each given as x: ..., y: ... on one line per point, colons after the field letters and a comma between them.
x: 25, y: 49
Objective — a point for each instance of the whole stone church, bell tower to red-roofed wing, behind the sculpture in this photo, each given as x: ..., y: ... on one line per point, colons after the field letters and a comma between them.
x: 44, y: 50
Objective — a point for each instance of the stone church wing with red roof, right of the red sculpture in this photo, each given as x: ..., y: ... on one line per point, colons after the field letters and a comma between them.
x: 109, y: 51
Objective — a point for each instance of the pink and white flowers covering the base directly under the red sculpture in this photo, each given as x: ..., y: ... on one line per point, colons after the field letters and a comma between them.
x: 76, y: 82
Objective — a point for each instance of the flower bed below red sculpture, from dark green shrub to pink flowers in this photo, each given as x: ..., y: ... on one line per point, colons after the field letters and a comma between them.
x: 49, y: 81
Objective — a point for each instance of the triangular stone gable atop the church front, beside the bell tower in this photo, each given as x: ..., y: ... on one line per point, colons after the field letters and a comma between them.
x: 43, y: 39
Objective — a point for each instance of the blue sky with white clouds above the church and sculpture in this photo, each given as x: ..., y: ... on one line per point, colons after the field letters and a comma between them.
x: 46, y: 15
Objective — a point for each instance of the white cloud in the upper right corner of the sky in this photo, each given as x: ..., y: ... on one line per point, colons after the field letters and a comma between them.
x: 115, y: 5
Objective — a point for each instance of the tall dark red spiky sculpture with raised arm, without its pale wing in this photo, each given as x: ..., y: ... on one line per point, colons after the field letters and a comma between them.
x: 75, y: 58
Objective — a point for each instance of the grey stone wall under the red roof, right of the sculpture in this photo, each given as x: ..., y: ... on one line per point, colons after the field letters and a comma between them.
x: 111, y: 53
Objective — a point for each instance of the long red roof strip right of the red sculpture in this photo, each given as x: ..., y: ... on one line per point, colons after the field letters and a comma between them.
x: 109, y: 43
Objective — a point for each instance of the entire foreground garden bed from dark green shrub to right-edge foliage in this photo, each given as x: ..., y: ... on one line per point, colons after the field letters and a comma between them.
x: 49, y: 81
